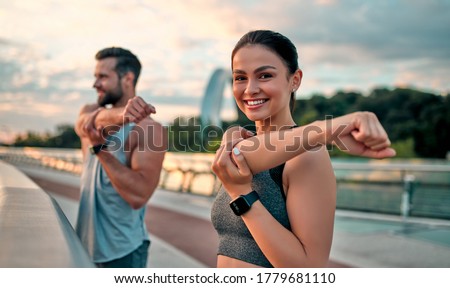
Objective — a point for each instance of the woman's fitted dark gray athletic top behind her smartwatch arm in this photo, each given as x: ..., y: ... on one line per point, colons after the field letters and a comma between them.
x: 235, y: 240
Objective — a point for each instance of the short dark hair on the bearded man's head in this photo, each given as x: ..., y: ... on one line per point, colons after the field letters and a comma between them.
x: 126, y: 61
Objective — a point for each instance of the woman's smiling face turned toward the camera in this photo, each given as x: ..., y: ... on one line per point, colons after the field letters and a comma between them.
x: 261, y: 85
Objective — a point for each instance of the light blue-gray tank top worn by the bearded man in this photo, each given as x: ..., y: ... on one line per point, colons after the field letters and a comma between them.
x: 107, y: 225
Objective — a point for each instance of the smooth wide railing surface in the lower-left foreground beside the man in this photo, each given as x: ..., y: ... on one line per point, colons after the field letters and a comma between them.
x: 34, y: 232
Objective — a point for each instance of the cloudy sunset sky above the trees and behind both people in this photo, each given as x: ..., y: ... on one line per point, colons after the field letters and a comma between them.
x: 47, y: 50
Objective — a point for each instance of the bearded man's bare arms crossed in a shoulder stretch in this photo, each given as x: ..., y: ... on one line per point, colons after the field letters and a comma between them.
x: 136, y: 180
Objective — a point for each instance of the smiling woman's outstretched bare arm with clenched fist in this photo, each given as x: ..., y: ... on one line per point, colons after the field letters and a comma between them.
x: 358, y: 133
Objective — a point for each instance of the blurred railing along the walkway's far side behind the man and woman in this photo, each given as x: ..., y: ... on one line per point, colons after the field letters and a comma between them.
x: 409, y: 188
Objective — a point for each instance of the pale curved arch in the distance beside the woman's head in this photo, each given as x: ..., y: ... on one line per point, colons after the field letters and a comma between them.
x: 213, y: 98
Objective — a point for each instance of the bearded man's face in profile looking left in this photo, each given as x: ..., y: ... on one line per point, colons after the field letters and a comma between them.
x: 107, y: 82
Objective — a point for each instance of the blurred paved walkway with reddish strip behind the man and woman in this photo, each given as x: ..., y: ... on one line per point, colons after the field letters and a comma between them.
x: 360, y: 239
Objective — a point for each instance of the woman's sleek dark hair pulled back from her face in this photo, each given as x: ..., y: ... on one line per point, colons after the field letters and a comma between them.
x: 277, y: 43
